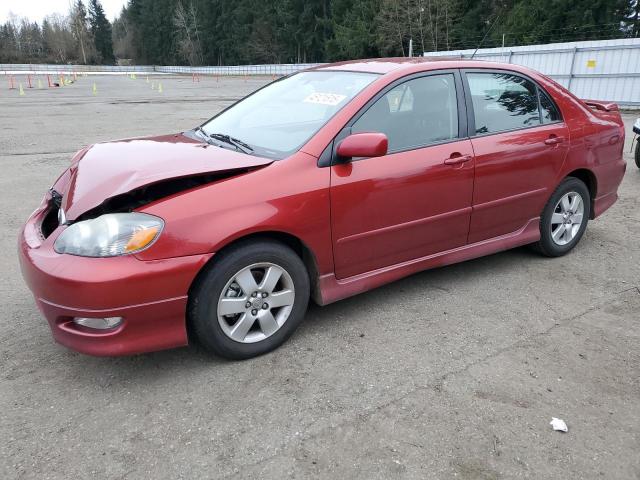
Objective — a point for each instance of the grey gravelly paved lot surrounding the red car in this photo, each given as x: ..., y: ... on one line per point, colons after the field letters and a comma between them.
x: 451, y: 373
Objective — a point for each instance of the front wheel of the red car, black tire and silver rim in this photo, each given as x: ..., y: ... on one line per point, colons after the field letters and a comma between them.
x: 218, y: 290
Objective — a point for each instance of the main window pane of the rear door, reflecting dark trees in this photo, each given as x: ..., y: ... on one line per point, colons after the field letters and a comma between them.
x: 503, y: 102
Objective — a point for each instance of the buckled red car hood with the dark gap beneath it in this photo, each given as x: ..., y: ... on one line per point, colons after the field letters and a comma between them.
x: 122, y: 176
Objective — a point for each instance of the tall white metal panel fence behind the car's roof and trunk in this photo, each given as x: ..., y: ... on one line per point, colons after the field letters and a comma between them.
x: 596, y: 70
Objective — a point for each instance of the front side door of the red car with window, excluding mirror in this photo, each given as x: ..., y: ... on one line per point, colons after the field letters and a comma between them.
x: 416, y: 200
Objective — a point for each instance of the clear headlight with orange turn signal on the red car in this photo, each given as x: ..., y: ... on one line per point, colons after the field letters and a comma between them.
x: 110, y: 235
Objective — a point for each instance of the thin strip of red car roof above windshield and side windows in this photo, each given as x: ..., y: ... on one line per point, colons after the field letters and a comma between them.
x: 387, y: 65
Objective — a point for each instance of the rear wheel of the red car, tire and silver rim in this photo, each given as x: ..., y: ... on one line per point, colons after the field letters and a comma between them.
x: 554, y: 240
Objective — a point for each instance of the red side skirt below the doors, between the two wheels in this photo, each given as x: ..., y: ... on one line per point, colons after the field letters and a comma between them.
x: 333, y: 289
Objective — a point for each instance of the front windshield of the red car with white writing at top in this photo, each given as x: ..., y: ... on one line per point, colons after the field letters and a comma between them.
x: 277, y: 120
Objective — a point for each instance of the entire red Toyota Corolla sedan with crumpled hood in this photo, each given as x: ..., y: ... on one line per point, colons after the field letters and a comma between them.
x: 321, y: 185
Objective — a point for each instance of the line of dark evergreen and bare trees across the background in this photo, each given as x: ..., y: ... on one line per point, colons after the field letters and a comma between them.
x: 224, y: 32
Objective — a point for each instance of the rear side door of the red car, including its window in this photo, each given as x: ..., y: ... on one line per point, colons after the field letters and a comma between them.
x: 519, y: 141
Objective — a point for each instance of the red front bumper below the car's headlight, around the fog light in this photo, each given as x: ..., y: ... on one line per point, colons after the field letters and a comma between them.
x: 151, y: 296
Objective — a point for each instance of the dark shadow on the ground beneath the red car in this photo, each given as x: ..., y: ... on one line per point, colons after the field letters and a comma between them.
x: 153, y: 367
